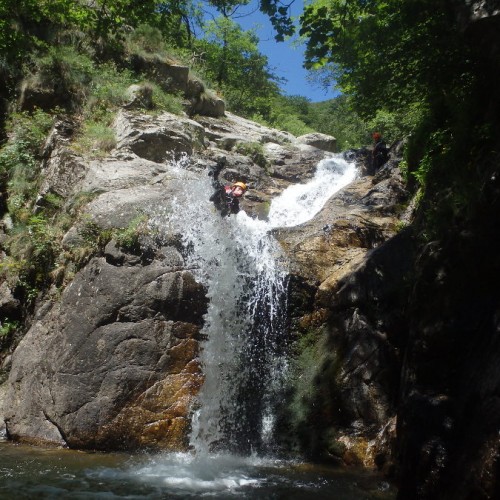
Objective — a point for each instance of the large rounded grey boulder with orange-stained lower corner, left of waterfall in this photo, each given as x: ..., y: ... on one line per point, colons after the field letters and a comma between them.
x: 112, y: 365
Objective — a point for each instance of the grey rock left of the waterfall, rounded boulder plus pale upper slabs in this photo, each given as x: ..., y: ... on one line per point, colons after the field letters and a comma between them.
x: 112, y: 362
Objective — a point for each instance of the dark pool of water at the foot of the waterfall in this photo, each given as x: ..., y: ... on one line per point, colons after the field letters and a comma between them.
x: 36, y: 473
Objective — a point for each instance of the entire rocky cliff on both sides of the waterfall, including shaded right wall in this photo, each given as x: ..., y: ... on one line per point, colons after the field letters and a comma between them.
x: 393, y: 348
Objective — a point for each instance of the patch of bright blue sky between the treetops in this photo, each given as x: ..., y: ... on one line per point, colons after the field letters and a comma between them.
x: 285, y: 58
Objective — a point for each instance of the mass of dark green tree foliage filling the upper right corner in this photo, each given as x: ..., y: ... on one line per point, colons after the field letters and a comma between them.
x: 409, y: 70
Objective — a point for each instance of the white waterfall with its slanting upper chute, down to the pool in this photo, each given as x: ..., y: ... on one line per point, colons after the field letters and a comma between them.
x: 244, y: 271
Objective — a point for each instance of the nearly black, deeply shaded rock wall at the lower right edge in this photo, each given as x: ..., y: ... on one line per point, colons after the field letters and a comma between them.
x: 449, y: 412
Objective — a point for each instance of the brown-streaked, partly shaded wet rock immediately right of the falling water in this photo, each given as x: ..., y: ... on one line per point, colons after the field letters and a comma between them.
x: 348, y: 292
